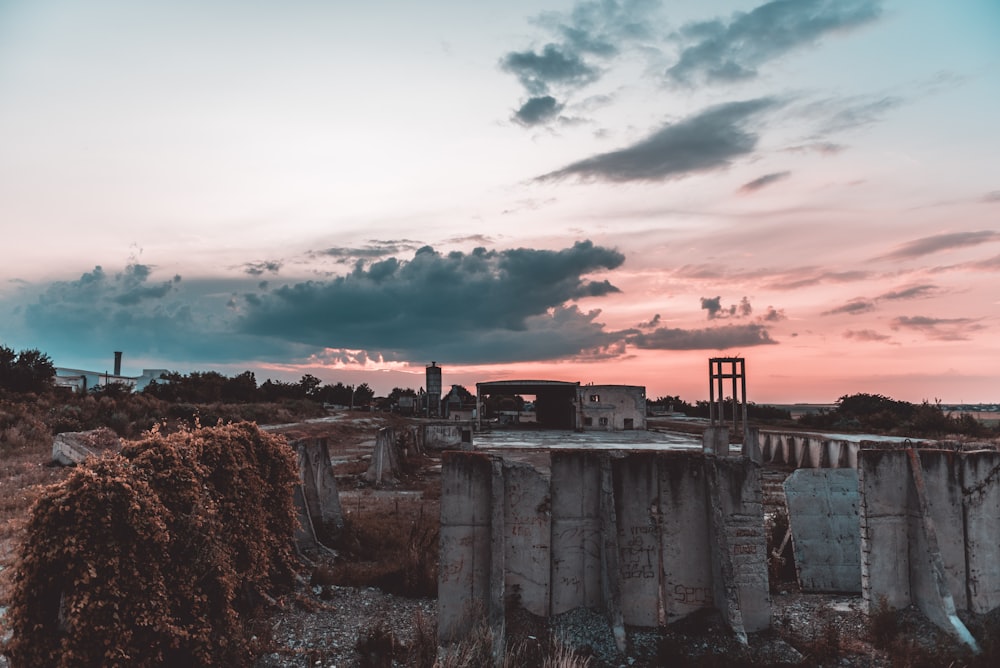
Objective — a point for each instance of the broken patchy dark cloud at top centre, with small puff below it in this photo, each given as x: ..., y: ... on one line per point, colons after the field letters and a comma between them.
x: 581, y: 42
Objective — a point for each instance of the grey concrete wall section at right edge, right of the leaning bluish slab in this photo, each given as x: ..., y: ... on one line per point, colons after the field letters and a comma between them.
x: 930, y: 531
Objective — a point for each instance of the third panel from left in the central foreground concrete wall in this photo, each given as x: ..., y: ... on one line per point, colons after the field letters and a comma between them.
x: 576, y: 531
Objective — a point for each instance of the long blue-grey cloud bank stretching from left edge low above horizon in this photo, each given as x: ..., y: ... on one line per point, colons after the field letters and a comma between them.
x: 480, y: 307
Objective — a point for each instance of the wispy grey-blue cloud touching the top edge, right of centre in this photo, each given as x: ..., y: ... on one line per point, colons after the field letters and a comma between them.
x: 721, y: 50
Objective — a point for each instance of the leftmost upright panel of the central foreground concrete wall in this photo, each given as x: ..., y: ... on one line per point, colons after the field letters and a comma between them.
x: 465, y: 548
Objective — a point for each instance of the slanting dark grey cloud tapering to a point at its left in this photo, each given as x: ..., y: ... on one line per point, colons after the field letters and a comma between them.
x: 706, y: 141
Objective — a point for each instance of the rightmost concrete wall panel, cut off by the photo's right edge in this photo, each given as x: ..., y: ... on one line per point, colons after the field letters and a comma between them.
x: 980, y: 475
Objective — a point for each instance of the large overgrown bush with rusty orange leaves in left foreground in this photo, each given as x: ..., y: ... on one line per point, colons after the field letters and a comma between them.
x: 156, y: 556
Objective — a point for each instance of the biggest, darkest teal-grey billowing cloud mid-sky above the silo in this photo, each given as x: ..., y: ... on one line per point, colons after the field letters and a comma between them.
x: 456, y: 302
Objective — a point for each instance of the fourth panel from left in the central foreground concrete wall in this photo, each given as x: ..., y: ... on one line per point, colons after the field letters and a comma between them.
x: 636, y: 505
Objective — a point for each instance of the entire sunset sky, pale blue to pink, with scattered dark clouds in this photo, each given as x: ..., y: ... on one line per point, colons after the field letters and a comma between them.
x: 606, y: 191
